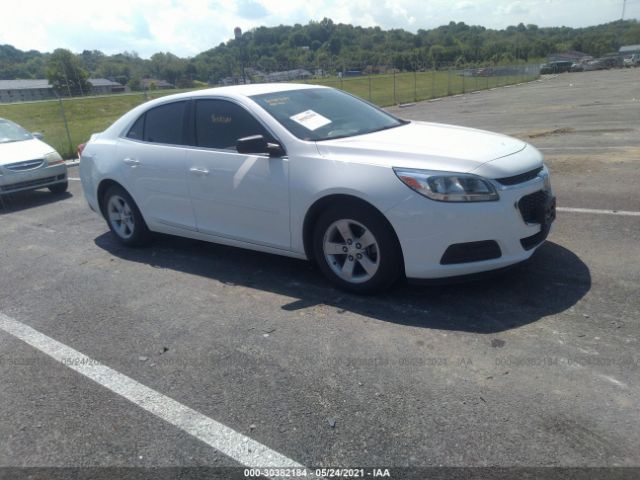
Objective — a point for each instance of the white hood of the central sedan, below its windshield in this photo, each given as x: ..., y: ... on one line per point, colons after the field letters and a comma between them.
x: 434, y: 146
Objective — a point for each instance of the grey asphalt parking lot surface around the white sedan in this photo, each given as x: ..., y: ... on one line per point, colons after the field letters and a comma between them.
x: 535, y: 367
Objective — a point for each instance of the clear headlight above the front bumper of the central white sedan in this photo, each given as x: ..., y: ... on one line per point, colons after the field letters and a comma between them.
x: 448, y: 187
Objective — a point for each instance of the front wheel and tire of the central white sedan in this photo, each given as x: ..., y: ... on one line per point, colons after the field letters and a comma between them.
x: 356, y: 249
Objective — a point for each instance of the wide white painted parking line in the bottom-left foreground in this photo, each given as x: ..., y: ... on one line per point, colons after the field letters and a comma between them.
x: 235, y: 445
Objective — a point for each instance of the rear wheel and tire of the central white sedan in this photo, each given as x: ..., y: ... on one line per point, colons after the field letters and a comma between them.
x: 124, y: 218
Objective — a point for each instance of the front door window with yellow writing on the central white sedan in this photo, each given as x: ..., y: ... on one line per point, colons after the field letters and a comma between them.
x: 219, y: 124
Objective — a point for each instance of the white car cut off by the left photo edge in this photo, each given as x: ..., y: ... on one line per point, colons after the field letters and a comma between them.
x: 27, y: 163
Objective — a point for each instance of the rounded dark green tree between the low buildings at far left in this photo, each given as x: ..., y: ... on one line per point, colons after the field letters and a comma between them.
x: 65, y: 73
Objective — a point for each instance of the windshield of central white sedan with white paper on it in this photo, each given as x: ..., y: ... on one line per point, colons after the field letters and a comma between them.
x: 324, y: 113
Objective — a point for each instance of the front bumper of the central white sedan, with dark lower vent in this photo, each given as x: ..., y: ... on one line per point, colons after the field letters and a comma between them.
x: 428, y: 231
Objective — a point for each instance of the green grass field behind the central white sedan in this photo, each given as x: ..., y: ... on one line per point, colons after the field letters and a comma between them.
x: 93, y: 114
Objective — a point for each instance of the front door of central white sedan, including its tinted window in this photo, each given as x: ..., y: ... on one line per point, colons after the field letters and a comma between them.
x: 237, y: 196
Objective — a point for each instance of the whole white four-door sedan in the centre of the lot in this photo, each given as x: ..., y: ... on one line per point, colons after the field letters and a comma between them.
x: 314, y: 173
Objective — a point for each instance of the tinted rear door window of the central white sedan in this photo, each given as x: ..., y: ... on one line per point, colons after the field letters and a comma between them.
x: 163, y: 124
